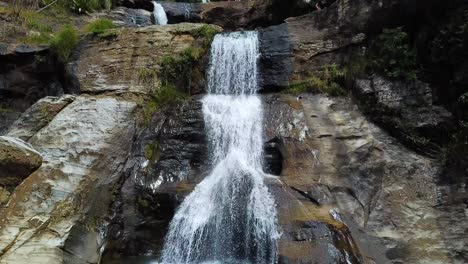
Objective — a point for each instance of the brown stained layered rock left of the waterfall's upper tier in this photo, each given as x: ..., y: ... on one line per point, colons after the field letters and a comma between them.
x: 118, y: 64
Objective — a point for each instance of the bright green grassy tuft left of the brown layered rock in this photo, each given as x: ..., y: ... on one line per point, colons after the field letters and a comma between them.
x: 64, y: 42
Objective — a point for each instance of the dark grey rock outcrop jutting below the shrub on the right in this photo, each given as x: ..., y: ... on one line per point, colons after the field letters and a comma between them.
x: 406, y: 109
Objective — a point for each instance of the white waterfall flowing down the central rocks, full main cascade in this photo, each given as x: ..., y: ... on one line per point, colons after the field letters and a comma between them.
x: 230, y: 217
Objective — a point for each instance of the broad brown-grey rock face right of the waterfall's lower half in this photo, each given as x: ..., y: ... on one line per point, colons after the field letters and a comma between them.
x: 340, y: 164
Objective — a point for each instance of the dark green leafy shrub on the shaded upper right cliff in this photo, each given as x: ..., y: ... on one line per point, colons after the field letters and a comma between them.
x: 393, y: 56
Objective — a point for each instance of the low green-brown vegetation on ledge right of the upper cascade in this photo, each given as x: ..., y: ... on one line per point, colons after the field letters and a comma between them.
x: 328, y: 80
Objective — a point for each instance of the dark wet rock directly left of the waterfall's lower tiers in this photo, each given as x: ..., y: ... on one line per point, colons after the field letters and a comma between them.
x: 169, y: 158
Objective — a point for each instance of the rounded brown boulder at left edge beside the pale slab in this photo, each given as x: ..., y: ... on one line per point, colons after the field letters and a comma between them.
x: 17, y: 161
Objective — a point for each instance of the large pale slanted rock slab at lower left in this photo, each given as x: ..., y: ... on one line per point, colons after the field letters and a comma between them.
x: 54, y: 215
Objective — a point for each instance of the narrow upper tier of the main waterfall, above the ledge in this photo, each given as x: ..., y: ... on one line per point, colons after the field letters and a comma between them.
x: 234, y: 64
